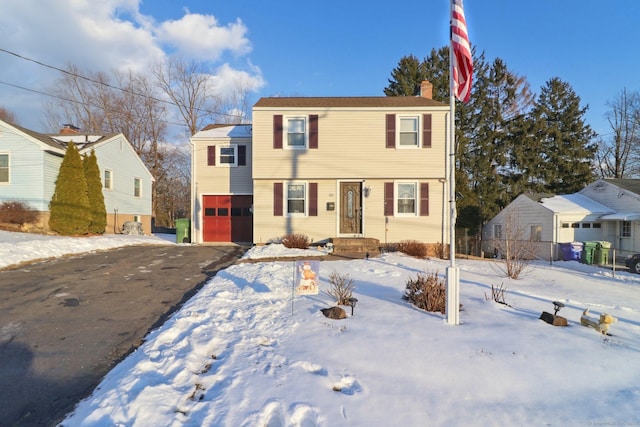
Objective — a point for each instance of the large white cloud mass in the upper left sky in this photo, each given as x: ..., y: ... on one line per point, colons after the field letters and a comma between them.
x: 102, y: 36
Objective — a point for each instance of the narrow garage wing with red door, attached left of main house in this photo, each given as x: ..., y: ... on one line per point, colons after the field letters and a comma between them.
x: 221, y: 165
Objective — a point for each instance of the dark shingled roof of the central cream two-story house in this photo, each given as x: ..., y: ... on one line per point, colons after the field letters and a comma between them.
x: 350, y: 102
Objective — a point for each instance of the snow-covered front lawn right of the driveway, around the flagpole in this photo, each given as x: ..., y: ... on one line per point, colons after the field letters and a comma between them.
x: 244, y: 352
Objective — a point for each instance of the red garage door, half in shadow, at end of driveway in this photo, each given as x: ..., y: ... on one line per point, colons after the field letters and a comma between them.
x: 227, y: 219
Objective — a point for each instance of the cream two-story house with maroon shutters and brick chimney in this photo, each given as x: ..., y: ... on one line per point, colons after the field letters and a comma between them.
x: 334, y: 167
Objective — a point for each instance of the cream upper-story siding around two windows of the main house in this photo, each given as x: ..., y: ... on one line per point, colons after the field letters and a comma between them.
x: 351, y: 146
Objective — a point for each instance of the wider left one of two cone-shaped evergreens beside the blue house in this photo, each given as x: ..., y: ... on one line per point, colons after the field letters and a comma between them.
x: 69, y: 206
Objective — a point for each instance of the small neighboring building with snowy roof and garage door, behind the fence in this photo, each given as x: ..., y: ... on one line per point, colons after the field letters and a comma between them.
x: 548, y: 220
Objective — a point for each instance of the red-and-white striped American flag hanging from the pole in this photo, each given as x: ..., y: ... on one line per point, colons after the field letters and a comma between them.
x: 462, y: 66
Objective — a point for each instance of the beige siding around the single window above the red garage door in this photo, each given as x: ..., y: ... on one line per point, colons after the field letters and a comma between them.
x: 221, y: 179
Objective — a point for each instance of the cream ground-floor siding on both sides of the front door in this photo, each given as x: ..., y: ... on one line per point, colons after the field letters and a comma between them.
x: 428, y: 229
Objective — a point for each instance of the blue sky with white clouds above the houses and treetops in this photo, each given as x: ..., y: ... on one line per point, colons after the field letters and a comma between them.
x: 331, y: 48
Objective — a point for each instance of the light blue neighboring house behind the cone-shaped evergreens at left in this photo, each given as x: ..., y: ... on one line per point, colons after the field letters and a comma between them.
x: 30, y: 161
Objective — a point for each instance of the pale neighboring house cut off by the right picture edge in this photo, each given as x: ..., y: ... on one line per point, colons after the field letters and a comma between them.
x: 622, y: 227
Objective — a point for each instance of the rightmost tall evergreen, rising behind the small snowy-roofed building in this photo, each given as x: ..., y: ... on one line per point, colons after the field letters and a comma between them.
x: 567, y: 147
